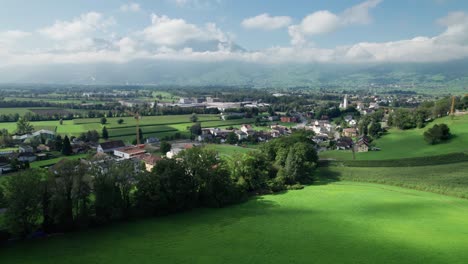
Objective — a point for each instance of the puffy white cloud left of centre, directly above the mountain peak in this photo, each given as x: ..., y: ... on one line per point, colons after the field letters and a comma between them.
x: 172, y: 32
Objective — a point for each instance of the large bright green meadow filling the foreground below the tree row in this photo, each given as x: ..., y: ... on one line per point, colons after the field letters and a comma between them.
x: 358, y: 222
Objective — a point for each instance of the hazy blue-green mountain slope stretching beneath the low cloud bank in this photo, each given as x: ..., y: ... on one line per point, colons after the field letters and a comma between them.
x: 452, y: 75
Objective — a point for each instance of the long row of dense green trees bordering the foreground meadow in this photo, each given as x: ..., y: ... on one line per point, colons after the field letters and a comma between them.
x: 77, y: 194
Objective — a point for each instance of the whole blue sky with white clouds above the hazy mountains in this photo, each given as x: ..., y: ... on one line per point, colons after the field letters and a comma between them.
x: 332, y: 30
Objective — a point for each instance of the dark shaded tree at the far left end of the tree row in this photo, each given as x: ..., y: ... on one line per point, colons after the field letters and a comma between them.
x: 23, y: 199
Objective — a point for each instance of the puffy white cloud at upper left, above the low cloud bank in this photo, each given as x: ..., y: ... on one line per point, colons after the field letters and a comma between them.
x: 78, y: 27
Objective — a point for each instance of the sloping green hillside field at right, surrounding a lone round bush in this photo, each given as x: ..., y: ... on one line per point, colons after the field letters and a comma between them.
x: 410, y: 143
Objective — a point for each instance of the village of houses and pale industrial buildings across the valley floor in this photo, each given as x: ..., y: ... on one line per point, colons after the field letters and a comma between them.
x: 337, y: 133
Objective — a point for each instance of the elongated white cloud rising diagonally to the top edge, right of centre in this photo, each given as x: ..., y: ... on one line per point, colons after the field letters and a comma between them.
x: 324, y: 21
